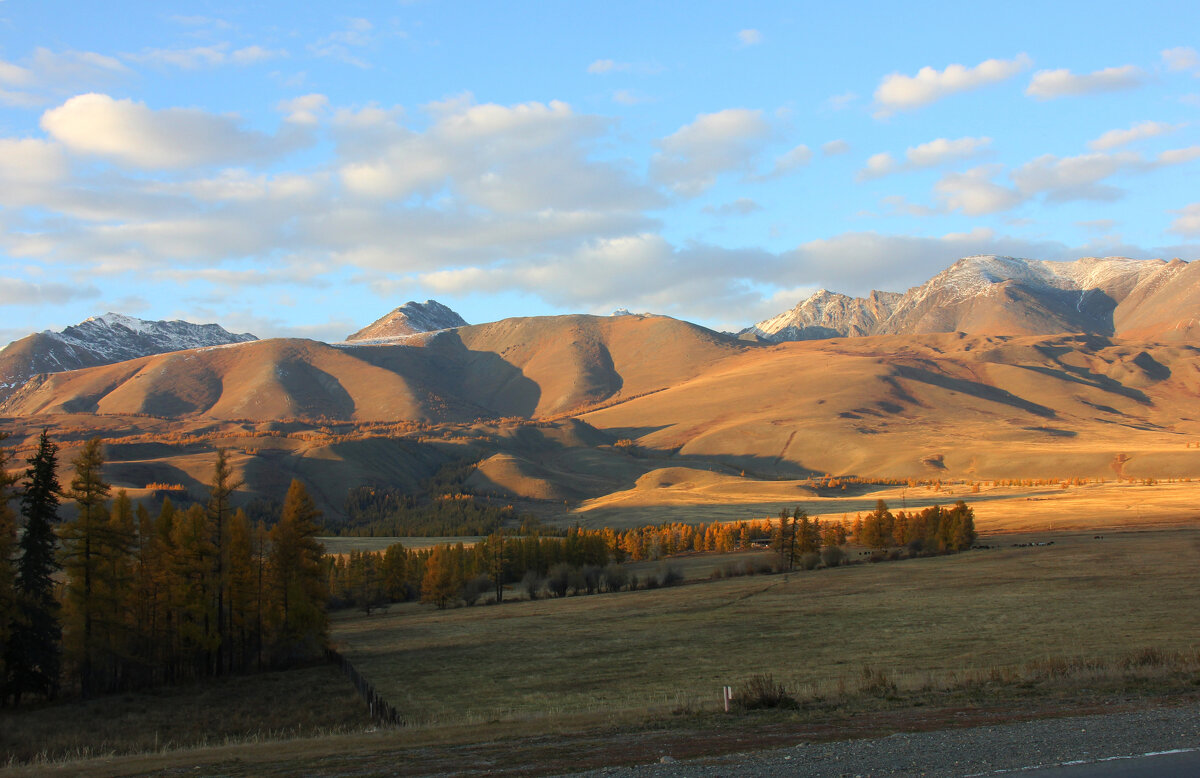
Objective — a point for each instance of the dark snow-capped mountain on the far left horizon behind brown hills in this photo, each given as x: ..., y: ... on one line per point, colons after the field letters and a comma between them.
x: 104, y: 340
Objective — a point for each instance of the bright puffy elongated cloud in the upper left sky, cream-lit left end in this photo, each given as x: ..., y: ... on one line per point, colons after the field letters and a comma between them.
x: 131, y: 134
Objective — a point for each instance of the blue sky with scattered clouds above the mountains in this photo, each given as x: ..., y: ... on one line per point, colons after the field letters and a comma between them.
x: 301, y: 170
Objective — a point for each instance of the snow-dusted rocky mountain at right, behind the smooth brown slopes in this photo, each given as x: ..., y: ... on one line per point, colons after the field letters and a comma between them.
x: 1009, y: 296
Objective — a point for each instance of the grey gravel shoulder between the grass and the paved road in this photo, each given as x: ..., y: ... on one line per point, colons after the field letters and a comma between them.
x: 963, y: 752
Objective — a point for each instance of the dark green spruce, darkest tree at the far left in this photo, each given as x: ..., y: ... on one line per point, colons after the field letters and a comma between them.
x: 33, y: 657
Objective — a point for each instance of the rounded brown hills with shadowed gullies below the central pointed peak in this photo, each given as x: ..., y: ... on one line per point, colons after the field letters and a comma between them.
x: 527, y: 368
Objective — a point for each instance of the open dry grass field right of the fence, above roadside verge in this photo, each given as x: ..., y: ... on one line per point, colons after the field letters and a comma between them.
x: 628, y: 656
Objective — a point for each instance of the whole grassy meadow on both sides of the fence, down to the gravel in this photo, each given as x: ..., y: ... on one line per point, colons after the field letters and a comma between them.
x: 1088, y: 623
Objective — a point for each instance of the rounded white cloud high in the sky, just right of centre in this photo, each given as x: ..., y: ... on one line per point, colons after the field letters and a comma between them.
x: 692, y: 158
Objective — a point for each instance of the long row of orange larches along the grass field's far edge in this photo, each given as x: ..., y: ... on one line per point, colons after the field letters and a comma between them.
x: 590, y: 561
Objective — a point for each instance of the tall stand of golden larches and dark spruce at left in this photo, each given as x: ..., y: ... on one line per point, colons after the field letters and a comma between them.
x: 118, y: 599
